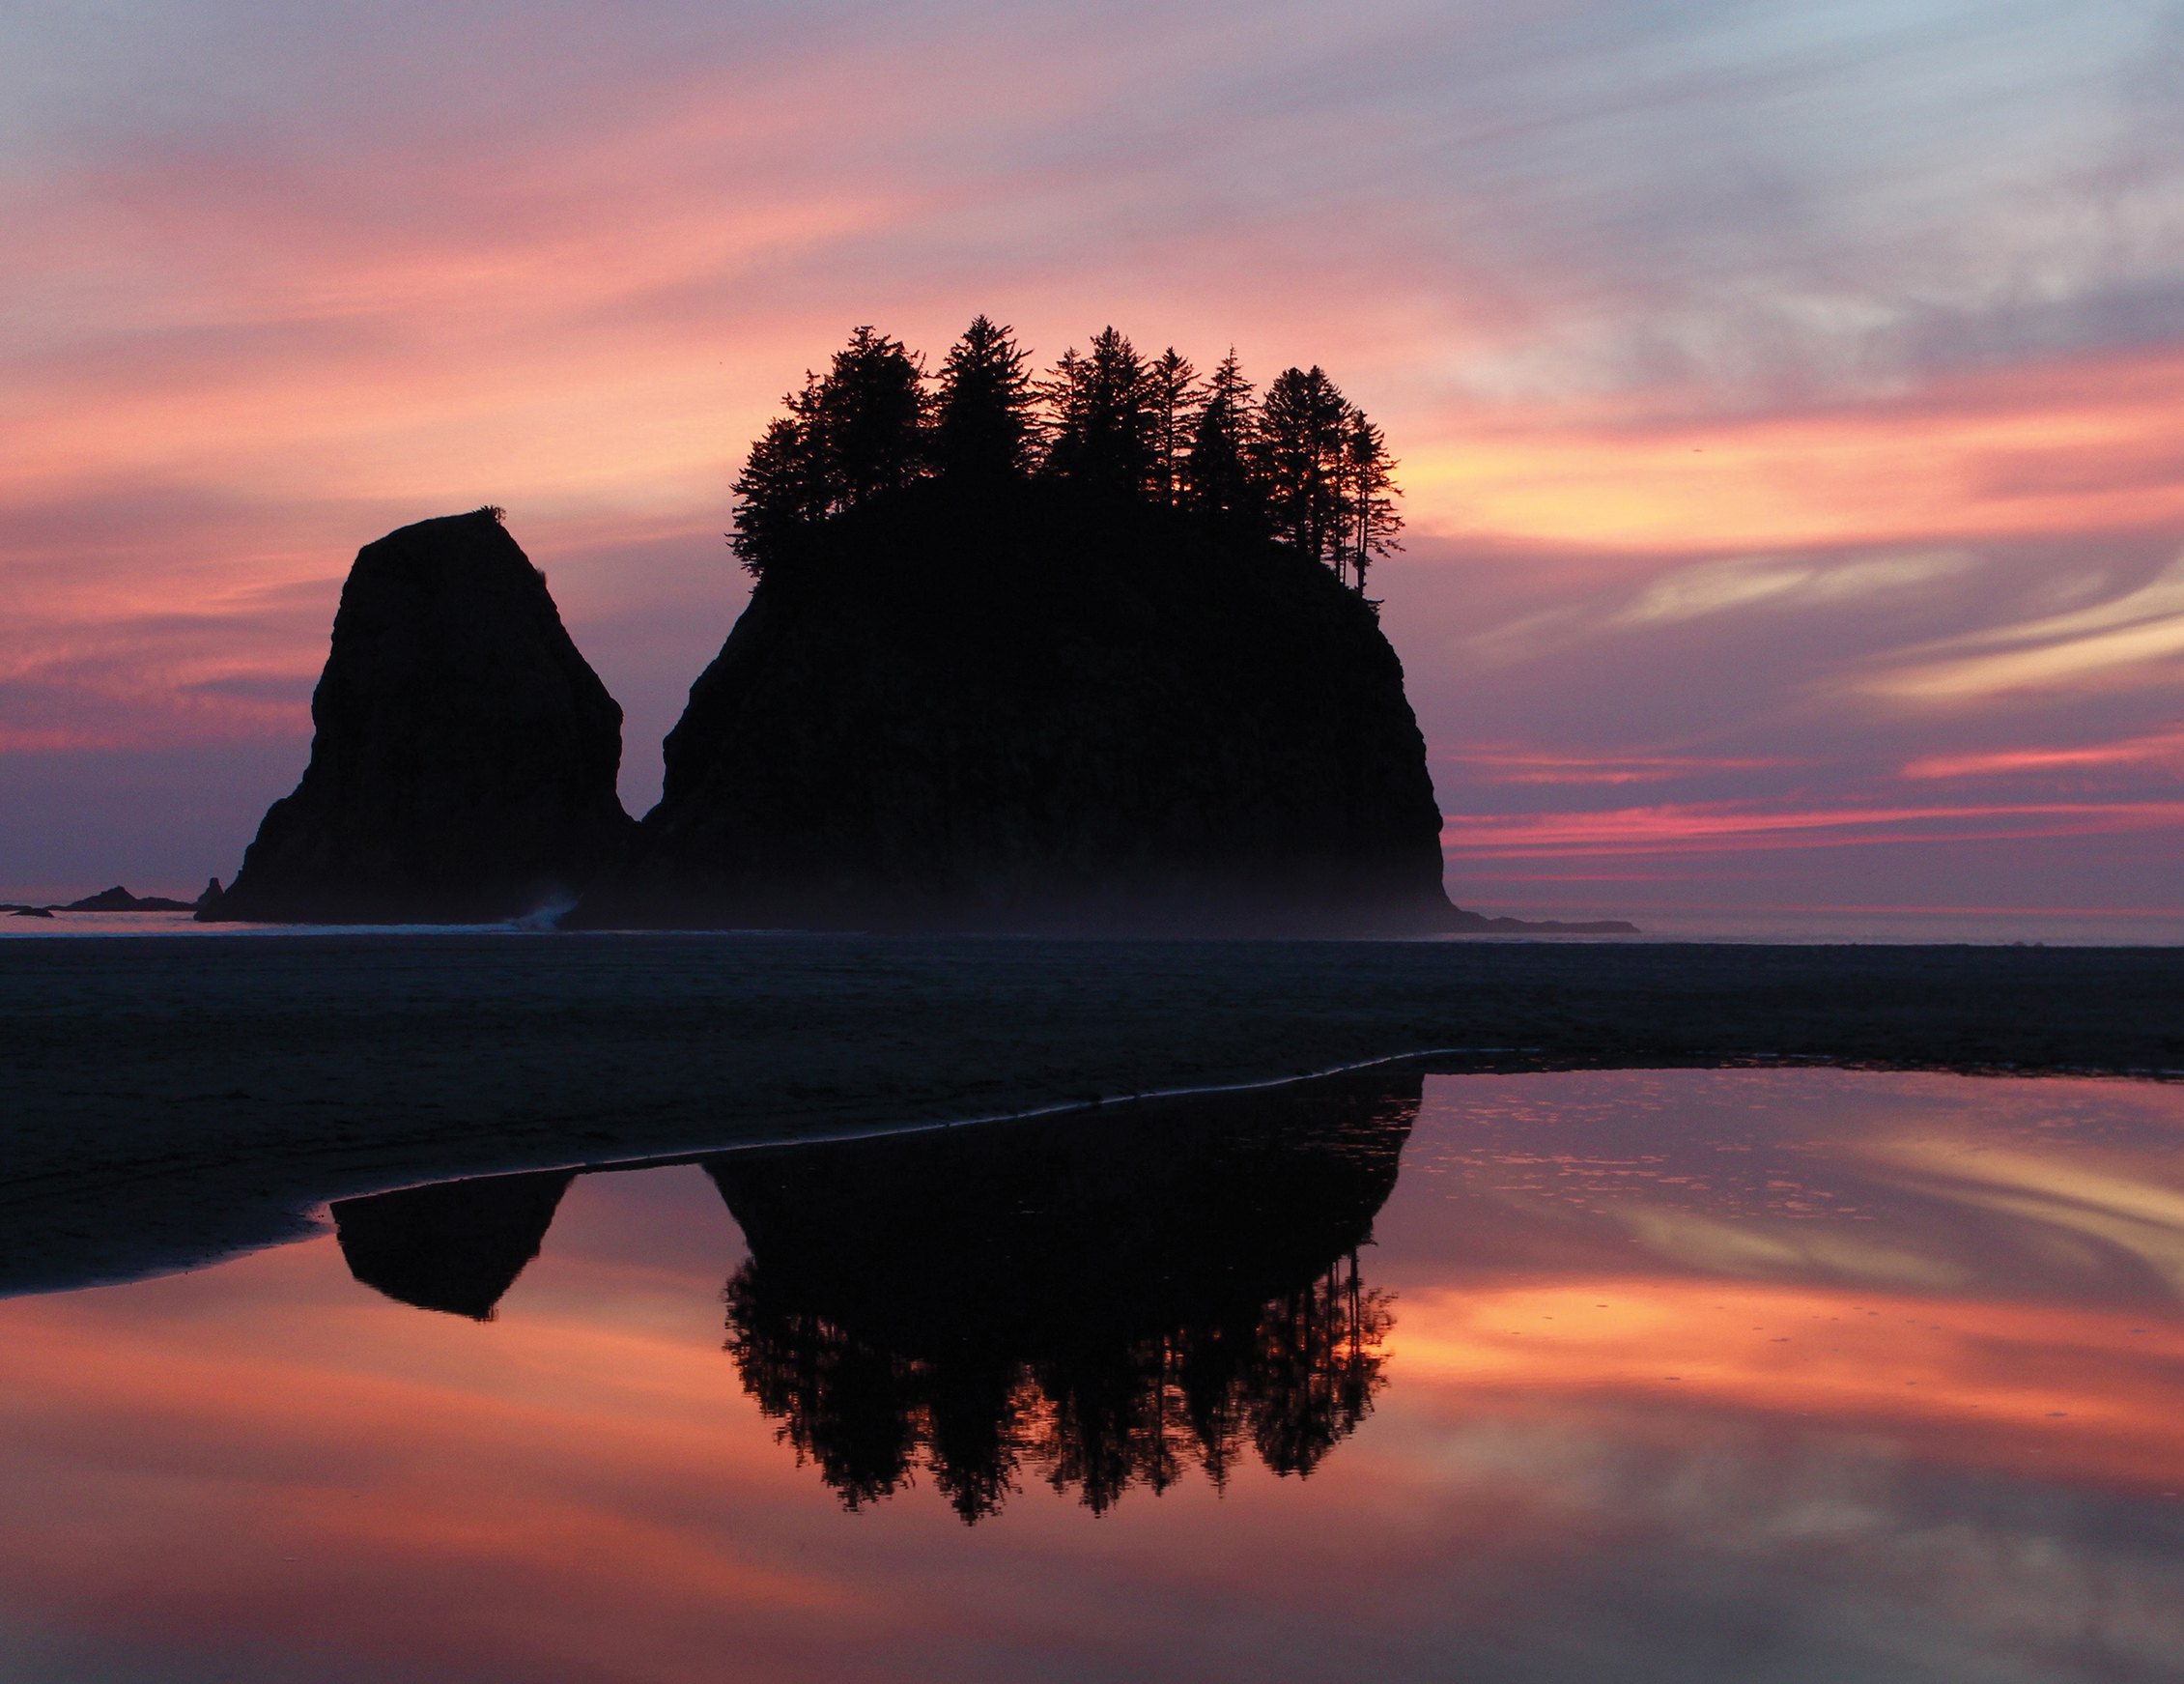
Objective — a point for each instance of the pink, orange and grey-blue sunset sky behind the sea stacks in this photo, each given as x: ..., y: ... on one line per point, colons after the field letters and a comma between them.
x: 1790, y: 396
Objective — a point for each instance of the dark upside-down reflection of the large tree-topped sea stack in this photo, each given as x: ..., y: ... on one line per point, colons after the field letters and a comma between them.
x: 1102, y: 1305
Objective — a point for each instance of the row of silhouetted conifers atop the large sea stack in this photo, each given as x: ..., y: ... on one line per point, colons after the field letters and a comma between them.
x: 1303, y: 464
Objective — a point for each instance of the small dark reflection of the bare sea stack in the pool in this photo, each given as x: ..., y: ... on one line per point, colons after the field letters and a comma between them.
x: 455, y: 1246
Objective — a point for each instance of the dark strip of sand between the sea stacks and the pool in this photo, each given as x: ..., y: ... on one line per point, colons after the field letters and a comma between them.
x: 176, y: 1100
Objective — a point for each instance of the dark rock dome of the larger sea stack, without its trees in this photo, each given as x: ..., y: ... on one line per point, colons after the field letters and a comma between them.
x: 1030, y: 715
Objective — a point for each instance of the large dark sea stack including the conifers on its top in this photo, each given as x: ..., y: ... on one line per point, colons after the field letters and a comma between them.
x: 1087, y: 654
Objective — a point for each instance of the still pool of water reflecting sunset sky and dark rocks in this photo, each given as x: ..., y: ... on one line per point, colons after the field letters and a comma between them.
x: 1681, y: 1375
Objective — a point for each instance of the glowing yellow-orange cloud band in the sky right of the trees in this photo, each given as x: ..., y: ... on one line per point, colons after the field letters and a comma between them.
x: 2052, y: 449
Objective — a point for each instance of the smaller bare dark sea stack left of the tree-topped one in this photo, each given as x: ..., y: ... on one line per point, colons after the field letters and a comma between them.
x: 464, y: 759
